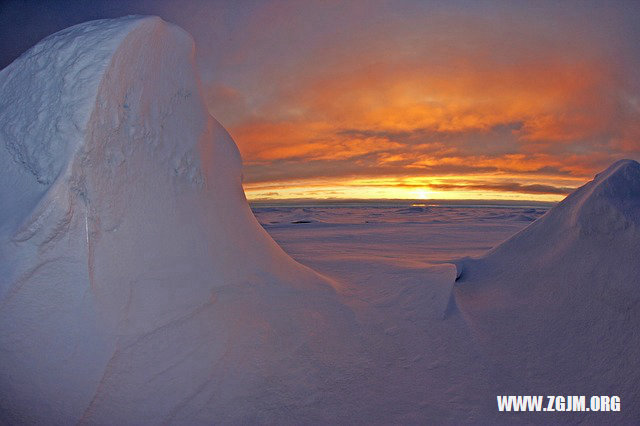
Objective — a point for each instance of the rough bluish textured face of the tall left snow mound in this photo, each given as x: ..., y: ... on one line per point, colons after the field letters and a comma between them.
x: 59, y: 72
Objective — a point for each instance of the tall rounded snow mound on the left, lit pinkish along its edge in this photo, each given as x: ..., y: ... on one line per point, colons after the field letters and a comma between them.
x: 135, y: 283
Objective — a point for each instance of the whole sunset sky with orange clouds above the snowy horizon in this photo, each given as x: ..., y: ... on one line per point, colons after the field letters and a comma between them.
x: 400, y: 99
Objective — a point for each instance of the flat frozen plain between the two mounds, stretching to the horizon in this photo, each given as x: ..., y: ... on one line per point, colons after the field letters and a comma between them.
x: 403, y: 234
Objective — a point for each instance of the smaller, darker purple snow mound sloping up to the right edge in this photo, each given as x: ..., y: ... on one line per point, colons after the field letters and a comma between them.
x: 556, y: 307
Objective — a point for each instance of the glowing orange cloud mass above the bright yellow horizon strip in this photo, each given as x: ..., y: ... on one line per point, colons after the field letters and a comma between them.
x: 522, y: 114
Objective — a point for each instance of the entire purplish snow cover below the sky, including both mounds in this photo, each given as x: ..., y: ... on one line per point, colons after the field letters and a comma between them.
x: 137, y: 287
